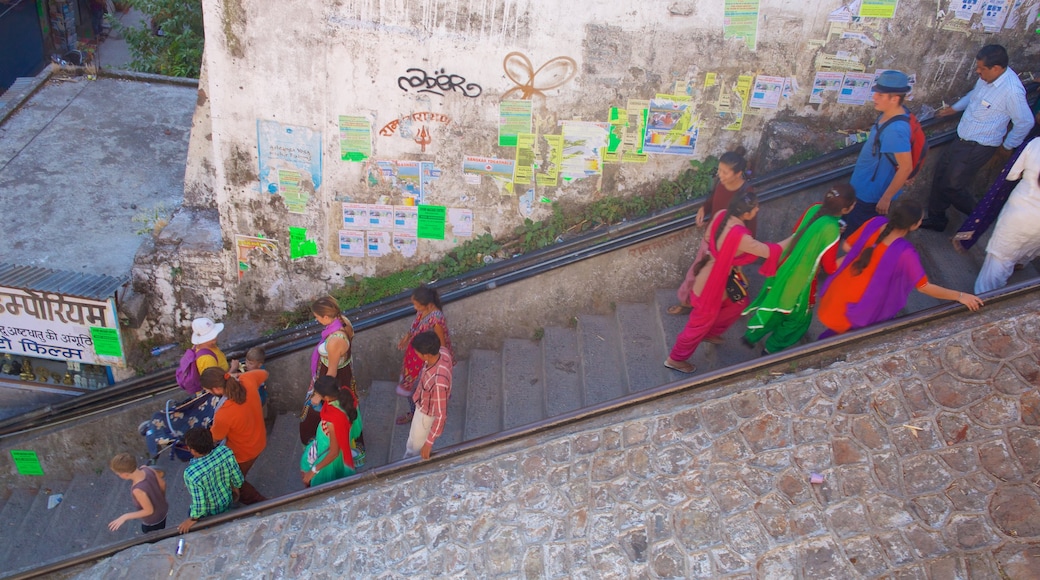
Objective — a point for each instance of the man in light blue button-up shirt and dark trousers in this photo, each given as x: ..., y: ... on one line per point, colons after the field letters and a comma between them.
x: 998, y: 98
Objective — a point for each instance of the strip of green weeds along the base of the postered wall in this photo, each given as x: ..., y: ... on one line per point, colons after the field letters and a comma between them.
x: 691, y: 184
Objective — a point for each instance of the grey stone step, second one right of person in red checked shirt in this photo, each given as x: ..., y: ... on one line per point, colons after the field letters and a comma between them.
x: 484, y: 396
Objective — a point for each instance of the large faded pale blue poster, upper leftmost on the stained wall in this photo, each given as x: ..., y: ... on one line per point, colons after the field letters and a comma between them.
x: 291, y: 163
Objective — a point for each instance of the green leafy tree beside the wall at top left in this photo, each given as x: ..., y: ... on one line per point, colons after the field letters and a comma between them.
x: 170, y: 41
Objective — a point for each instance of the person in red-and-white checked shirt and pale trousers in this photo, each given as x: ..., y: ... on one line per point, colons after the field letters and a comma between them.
x: 431, y: 396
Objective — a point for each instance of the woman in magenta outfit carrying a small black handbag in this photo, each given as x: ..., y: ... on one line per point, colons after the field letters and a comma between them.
x: 731, y: 246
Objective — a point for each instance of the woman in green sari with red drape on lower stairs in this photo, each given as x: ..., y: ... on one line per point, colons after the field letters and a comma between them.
x: 329, y: 457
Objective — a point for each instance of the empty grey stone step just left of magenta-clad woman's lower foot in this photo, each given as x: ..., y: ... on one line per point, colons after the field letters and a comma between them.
x: 643, y: 346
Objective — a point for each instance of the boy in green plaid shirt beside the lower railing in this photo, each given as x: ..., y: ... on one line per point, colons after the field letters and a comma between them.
x: 213, y: 478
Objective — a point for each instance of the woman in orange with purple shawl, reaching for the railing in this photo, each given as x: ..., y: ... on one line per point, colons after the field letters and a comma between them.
x: 878, y: 274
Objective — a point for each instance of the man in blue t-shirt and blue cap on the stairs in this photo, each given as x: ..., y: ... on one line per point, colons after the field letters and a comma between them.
x: 877, y: 179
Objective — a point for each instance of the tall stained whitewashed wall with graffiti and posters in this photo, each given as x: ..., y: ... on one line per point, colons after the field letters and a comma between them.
x: 430, y: 82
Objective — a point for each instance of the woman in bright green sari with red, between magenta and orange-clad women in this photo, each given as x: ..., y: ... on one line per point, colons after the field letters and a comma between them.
x: 783, y: 310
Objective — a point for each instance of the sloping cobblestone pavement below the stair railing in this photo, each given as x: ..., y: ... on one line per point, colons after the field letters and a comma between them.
x: 928, y: 446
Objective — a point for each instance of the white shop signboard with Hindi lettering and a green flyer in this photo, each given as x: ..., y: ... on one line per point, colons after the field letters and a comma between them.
x: 49, y: 326
